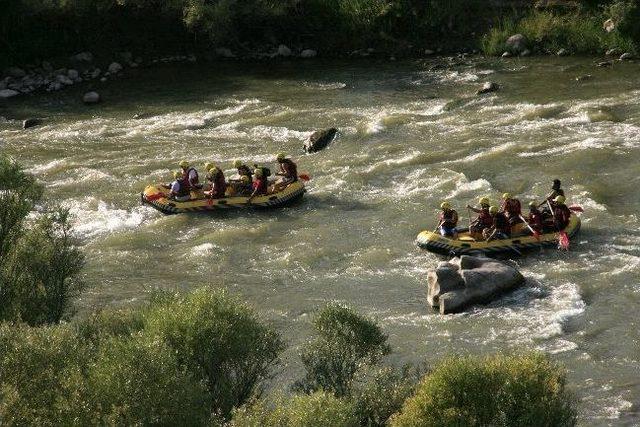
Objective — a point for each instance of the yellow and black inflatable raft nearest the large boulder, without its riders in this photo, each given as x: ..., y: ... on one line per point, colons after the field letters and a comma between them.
x: 465, y: 244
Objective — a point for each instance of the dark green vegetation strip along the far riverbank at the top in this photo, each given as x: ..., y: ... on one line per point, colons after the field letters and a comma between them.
x: 32, y: 30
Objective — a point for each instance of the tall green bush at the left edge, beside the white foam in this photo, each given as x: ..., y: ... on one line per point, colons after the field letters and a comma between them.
x: 39, y: 263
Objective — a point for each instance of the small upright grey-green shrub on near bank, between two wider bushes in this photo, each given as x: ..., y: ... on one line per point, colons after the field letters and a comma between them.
x: 345, y: 342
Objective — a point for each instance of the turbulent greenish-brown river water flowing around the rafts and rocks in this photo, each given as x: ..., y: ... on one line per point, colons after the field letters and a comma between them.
x: 409, y: 138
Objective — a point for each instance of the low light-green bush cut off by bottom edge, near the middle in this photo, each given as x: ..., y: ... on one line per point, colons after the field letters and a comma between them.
x: 319, y: 409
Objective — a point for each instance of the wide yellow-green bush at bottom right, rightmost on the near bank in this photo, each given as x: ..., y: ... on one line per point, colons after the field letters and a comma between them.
x: 526, y: 390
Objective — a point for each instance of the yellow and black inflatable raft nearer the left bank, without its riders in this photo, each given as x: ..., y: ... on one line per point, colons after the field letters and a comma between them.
x: 157, y: 196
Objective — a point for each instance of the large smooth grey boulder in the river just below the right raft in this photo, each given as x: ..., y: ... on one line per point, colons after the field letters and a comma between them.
x: 468, y: 280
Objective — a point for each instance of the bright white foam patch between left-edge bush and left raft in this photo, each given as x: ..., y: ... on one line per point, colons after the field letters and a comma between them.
x: 93, y: 217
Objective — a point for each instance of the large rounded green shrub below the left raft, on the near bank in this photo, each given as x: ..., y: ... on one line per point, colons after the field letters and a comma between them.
x: 220, y: 340
